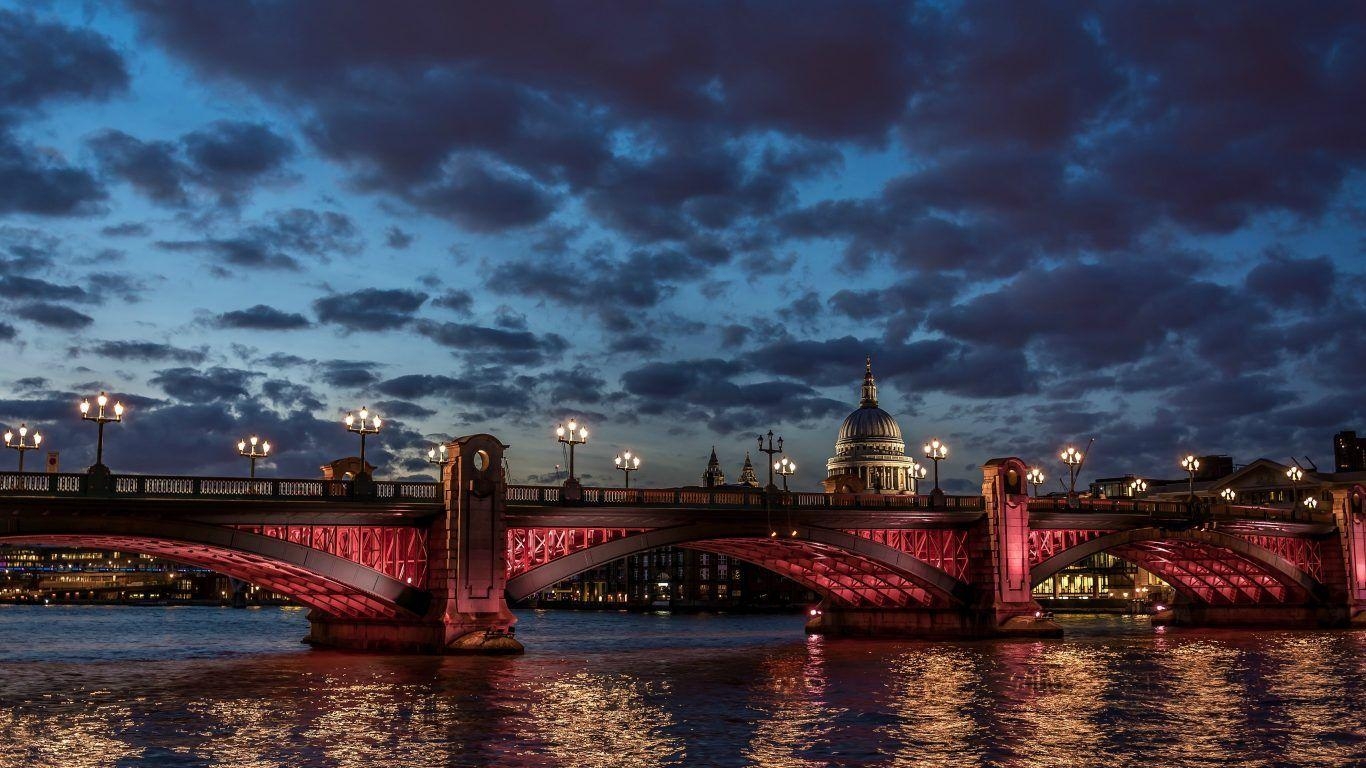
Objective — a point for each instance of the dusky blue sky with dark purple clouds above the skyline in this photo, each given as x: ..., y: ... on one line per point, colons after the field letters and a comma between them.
x: 685, y: 223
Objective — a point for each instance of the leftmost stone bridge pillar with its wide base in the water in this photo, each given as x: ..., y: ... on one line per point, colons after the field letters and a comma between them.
x: 466, y: 571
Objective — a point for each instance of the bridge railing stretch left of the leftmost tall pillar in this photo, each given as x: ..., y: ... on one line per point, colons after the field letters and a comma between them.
x: 184, y: 487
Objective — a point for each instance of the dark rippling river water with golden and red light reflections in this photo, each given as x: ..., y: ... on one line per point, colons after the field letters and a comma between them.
x: 84, y: 687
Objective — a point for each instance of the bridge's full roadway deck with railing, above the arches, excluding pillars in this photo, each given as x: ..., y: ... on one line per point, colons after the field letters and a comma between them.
x: 335, y: 502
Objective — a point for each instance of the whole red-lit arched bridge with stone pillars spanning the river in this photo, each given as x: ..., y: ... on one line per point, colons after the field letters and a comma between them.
x: 434, y: 566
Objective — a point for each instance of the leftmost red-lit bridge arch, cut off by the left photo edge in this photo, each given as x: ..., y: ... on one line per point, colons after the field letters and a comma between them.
x: 323, y: 581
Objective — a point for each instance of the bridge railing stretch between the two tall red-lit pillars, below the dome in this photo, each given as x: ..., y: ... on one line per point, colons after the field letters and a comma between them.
x: 736, y: 498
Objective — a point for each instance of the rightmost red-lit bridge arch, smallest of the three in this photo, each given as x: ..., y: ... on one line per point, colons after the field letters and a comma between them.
x: 1204, y: 566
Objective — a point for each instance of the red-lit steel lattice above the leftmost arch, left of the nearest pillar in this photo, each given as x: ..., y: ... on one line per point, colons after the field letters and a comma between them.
x: 397, y: 553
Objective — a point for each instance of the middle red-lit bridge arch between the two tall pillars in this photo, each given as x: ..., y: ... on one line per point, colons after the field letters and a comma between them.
x: 848, y: 569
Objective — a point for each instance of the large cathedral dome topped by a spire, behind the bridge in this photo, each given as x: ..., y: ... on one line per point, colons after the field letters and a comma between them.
x: 869, y: 453
